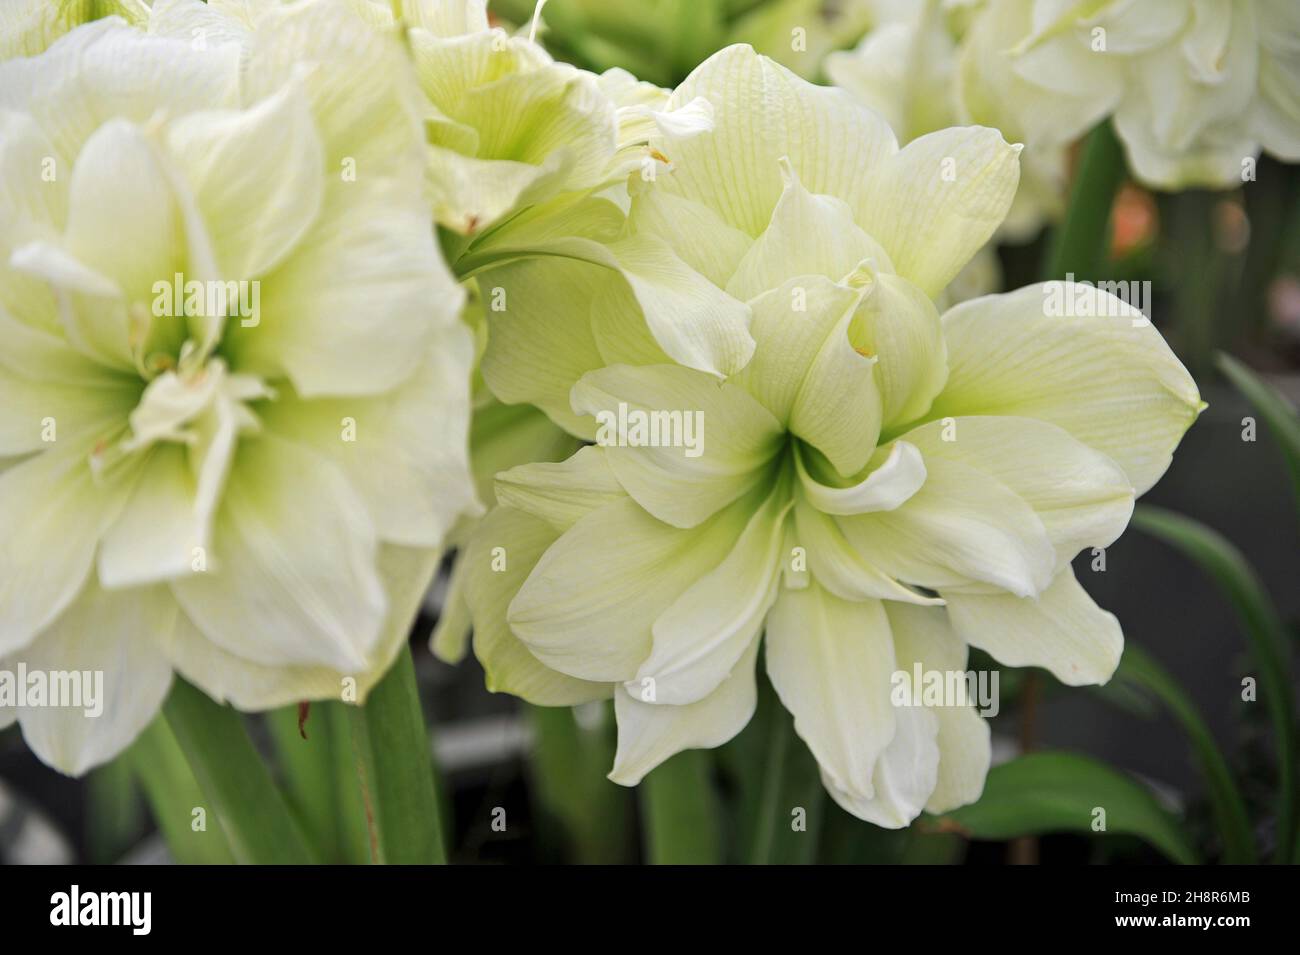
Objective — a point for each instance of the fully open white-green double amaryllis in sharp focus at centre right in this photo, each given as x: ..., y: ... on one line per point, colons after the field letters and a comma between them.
x: 877, y: 489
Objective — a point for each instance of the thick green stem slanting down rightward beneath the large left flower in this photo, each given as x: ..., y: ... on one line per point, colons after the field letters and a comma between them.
x: 235, y: 780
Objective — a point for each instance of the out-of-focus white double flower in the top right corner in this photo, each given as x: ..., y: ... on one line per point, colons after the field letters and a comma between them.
x: 1198, y: 88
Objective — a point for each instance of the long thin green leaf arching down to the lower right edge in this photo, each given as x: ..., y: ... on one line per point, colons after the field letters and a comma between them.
x: 1264, y: 630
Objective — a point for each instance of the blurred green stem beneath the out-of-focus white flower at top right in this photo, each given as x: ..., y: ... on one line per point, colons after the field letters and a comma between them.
x: 1081, y: 246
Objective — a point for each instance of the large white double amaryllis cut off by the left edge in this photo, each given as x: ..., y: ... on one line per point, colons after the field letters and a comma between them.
x: 233, y: 383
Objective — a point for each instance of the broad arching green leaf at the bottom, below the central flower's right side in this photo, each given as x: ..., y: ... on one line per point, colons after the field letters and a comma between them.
x: 1059, y: 792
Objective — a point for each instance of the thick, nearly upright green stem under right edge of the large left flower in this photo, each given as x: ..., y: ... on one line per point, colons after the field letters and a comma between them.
x: 395, y: 761
